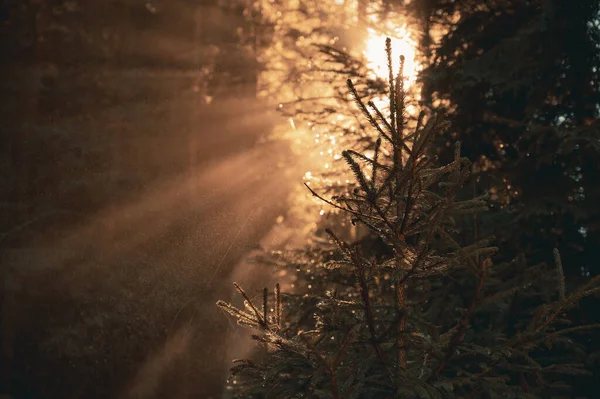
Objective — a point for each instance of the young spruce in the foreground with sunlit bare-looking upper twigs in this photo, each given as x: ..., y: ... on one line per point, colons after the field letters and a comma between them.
x: 406, y: 311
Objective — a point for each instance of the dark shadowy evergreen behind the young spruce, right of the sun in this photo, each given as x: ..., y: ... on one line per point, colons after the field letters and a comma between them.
x: 520, y: 80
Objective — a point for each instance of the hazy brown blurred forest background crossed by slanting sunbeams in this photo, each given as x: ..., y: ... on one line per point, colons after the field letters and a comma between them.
x: 132, y: 184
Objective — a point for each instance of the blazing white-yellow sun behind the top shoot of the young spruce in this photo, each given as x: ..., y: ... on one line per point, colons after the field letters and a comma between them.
x: 402, y: 44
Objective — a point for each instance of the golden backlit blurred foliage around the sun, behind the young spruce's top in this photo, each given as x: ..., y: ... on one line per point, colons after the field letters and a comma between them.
x: 304, y: 45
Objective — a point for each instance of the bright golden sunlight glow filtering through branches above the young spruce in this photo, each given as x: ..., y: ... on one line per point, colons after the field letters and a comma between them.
x: 321, y: 142
